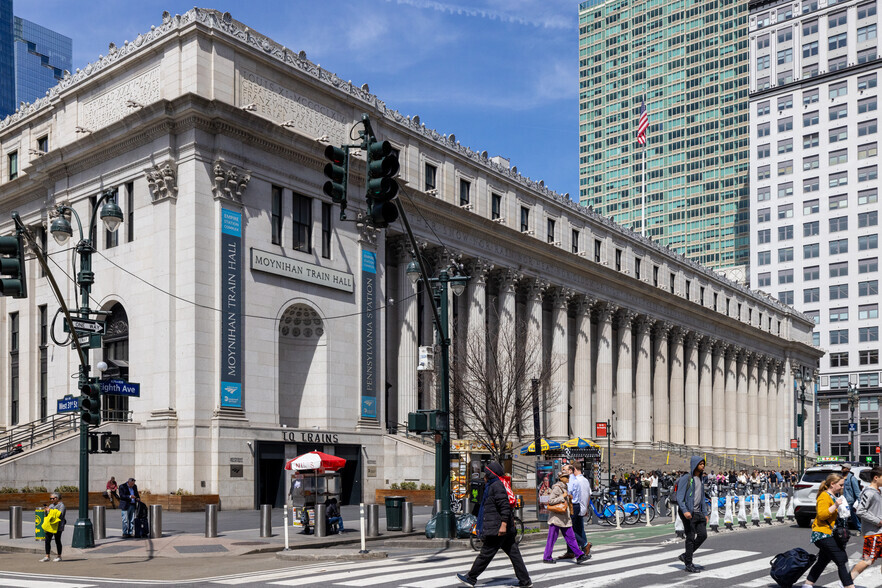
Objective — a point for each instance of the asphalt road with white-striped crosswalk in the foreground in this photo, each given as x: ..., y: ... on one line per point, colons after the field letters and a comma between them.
x: 730, y: 559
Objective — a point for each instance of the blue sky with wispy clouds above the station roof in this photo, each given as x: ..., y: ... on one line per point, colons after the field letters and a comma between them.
x: 500, y: 75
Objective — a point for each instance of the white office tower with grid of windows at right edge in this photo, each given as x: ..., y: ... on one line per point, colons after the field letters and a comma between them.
x: 814, y: 193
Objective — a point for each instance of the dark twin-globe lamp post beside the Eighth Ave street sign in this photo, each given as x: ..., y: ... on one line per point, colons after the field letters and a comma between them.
x: 61, y: 230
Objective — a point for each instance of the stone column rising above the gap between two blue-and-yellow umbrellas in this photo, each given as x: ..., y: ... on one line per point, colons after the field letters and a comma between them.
x: 559, y: 399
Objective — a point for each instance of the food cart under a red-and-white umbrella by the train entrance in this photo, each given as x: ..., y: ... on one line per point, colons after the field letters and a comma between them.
x: 315, y: 479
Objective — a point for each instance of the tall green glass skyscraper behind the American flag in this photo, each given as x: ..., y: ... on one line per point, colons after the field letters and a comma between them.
x: 689, y: 61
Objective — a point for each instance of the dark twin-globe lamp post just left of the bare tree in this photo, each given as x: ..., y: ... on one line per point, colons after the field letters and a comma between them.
x: 445, y: 520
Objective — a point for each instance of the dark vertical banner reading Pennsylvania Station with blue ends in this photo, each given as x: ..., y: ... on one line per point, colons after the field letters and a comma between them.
x: 368, y: 335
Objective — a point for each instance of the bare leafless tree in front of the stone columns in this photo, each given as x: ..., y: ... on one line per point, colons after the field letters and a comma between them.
x: 492, y: 388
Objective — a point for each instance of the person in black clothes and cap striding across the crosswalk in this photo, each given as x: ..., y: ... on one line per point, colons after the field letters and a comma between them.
x: 496, y: 528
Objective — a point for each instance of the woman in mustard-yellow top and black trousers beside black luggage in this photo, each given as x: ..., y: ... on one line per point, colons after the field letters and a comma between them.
x: 829, y: 548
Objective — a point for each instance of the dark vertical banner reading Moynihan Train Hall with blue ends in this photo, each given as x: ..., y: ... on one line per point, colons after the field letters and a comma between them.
x: 231, y: 308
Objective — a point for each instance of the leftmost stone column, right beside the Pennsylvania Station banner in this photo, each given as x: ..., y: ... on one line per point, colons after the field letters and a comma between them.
x: 408, y: 353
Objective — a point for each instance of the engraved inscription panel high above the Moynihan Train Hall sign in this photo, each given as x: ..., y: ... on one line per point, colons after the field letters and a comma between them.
x: 281, y: 104
